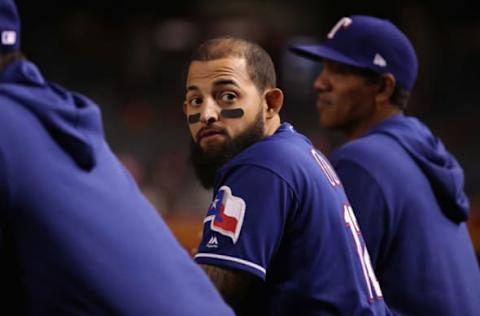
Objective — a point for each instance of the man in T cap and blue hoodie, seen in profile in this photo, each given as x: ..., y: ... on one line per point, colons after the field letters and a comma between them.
x: 405, y: 188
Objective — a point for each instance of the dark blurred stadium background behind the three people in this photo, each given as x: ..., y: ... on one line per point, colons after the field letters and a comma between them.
x: 131, y: 58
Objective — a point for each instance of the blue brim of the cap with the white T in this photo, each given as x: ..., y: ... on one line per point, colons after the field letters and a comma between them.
x: 320, y: 52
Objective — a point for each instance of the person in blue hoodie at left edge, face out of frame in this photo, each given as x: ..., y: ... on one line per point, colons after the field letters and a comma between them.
x: 77, y: 237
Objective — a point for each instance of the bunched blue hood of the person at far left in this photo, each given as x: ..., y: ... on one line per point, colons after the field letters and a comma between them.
x: 72, y: 120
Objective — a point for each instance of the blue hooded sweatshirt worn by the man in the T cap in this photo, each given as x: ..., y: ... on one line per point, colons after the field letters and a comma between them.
x: 407, y: 193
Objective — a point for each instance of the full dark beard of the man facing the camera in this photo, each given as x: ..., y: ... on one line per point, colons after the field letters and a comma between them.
x: 207, y: 164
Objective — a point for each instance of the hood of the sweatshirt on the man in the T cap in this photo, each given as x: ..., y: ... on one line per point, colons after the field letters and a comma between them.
x: 439, y: 166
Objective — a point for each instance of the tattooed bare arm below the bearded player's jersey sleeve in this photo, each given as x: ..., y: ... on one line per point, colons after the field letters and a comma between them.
x: 232, y: 284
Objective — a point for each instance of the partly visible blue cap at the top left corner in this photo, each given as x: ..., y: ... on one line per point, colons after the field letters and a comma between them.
x: 9, y: 27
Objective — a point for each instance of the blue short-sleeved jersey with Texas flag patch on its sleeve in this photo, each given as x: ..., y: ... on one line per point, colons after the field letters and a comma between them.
x: 280, y: 213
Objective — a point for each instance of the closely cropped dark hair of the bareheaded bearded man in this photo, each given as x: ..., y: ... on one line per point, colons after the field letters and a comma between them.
x: 260, y: 66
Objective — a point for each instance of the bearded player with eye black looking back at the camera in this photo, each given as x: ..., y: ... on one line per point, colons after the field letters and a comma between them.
x: 280, y: 237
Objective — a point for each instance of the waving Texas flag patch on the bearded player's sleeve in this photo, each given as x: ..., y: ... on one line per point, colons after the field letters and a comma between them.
x: 226, y: 213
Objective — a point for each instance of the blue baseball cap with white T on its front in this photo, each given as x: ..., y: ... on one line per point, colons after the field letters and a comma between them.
x: 367, y: 42
